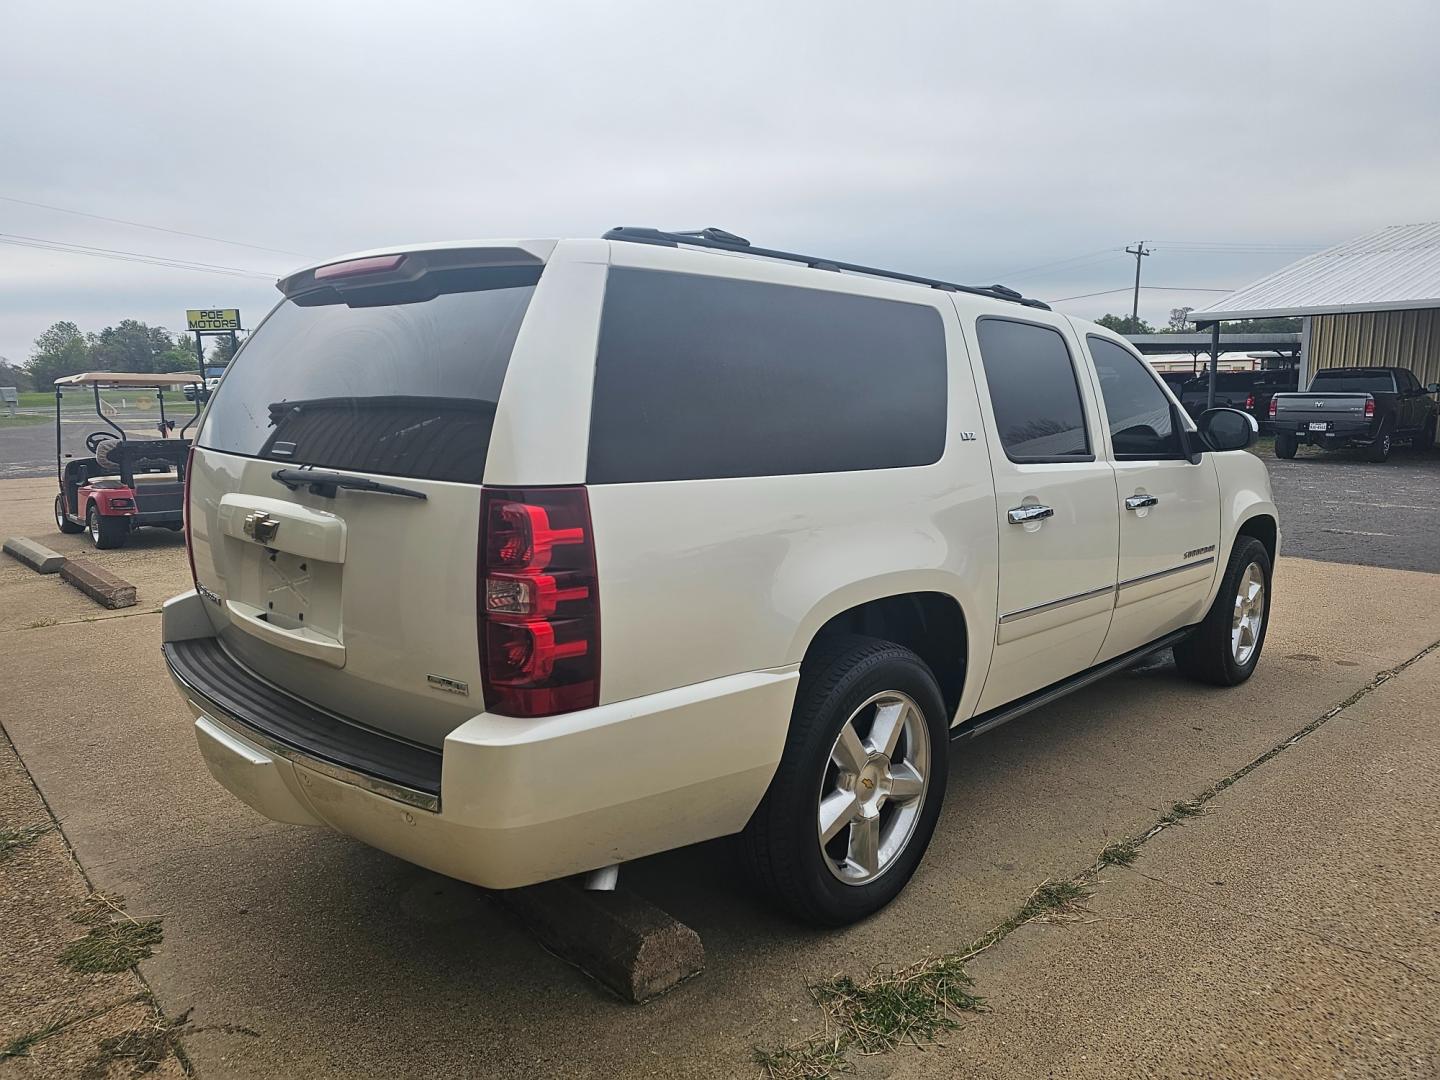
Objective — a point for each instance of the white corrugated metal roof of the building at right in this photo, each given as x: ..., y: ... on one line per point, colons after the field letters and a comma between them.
x: 1392, y: 269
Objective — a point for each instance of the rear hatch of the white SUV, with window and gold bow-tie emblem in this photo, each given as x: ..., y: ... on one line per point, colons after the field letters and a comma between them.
x: 336, y: 503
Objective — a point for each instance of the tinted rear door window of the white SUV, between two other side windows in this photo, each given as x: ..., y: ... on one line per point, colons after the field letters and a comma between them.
x: 1033, y: 392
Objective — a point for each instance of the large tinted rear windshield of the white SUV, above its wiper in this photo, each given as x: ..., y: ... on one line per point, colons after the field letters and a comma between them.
x: 397, y: 387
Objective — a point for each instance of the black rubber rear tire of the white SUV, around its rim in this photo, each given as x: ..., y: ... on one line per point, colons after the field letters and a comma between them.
x: 781, y: 846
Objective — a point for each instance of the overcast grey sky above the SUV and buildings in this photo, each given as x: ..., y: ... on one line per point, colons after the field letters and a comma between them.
x: 963, y: 140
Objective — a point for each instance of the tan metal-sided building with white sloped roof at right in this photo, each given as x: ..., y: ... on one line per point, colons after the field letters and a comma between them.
x: 1374, y: 300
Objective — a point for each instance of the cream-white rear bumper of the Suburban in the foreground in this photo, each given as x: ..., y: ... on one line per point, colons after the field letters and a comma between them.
x: 518, y: 801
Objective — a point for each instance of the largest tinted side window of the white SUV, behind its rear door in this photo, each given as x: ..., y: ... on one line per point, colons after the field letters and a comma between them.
x: 701, y: 378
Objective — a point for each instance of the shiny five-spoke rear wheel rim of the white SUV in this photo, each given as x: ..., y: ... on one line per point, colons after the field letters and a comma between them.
x: 875, y: 787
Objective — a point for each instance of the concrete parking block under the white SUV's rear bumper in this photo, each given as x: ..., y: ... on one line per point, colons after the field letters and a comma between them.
x: 617, y: 938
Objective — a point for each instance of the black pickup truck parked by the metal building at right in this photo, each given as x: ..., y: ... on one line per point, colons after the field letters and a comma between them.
x: 1357, y: 407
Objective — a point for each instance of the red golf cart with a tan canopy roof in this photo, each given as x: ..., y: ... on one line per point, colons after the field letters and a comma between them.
x: 132, y: 480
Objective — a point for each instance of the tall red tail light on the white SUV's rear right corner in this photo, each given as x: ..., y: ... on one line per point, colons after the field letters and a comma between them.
x: 538, y: 607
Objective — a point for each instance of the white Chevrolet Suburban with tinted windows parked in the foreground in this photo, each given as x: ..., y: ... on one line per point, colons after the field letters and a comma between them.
x: 525, y: 559
